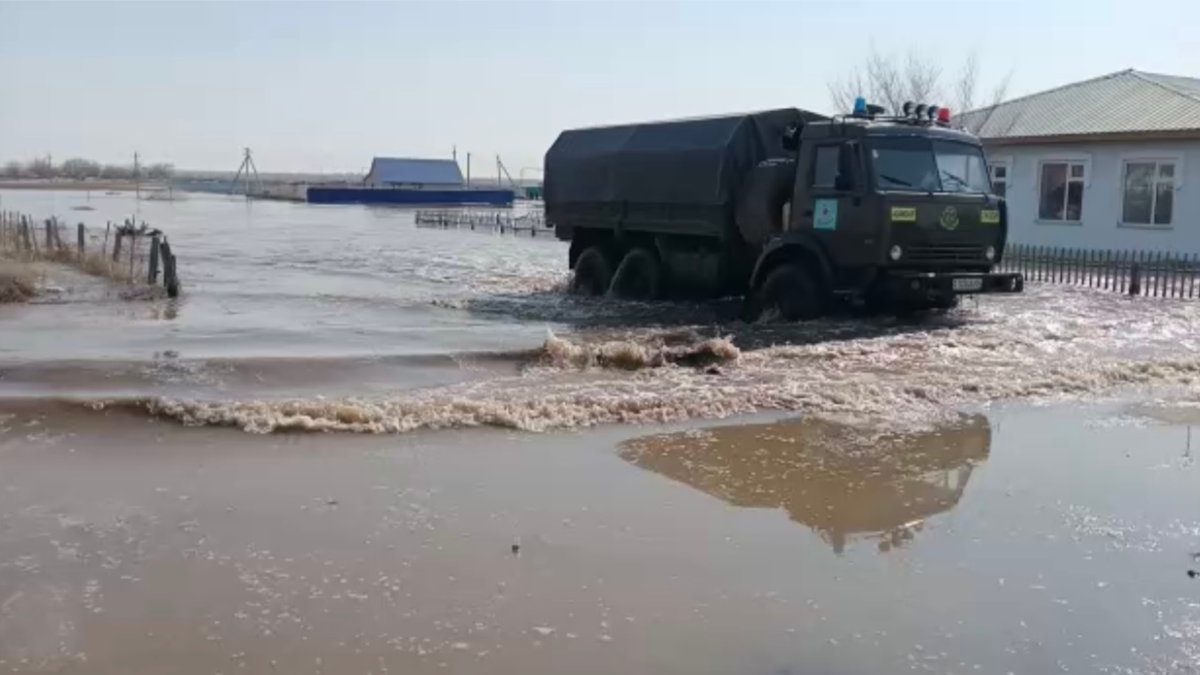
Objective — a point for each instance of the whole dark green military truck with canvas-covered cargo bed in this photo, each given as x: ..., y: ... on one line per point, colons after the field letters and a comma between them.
x: 790, y: 210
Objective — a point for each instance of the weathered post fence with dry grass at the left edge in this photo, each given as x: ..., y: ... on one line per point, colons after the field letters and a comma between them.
x: 127, y: 253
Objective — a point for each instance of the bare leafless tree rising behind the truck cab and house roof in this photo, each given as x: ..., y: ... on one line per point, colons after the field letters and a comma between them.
x: 892, y: 81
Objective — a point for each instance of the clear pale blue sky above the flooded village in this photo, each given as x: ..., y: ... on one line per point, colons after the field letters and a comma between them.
x: 323, y: 86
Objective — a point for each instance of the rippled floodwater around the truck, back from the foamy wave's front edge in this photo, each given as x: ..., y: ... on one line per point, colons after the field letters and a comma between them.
x: 349, y: 319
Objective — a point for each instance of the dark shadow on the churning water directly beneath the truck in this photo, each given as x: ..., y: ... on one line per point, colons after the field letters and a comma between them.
x: 713, y: 319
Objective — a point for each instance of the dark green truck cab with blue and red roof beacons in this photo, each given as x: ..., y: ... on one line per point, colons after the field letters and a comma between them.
x: 887, y: 210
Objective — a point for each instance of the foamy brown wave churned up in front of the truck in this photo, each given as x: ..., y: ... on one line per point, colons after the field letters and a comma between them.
x: 1049, y: 344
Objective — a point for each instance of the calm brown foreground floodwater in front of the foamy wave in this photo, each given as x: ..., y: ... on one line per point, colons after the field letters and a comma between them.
x: 1029, y: 541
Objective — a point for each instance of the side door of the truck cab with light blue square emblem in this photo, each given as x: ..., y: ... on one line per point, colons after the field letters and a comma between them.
x: 837, y: 210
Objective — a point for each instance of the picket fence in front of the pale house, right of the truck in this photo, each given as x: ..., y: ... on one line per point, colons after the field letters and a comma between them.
x: 1136, y: 273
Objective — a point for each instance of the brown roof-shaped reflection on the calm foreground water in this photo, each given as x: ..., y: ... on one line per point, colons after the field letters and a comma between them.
x: 829, y: 477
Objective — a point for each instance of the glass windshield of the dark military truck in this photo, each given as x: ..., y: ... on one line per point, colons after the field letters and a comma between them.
x: 927, y: 165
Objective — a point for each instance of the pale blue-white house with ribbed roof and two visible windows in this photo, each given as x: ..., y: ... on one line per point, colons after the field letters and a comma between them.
x: 1107, y: 164
